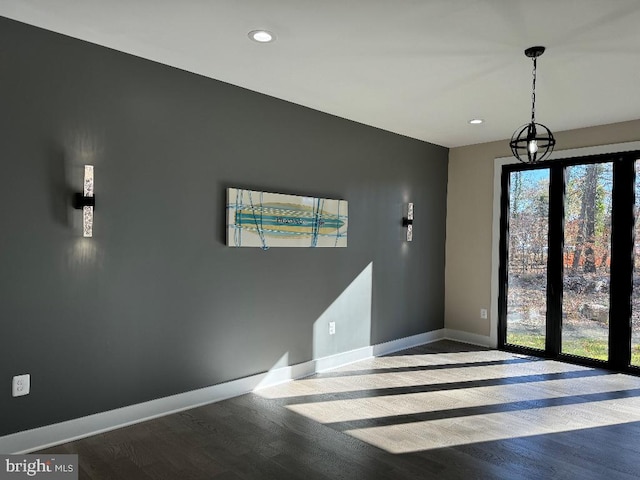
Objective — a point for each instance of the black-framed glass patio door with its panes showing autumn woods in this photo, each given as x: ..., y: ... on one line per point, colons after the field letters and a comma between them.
x: 570, y: 259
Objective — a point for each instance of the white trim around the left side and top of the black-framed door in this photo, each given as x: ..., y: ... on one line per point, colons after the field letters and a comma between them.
x: 495, y: 230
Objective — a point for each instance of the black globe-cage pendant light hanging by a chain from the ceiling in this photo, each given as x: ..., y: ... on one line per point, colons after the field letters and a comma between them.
x: 532, y: 142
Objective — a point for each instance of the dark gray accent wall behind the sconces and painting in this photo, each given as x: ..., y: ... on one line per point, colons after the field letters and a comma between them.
x: 155, y: 304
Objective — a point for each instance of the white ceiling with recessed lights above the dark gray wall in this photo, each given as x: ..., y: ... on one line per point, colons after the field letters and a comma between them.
x: 421, y: 68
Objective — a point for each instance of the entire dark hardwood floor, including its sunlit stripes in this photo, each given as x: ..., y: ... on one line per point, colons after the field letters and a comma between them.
x: 442, y: 411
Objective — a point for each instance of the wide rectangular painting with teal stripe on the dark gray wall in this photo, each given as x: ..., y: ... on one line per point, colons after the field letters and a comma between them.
x: 262, y: 219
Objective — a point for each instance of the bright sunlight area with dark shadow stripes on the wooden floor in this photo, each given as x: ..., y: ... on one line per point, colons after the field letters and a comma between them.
x: 463, y: 398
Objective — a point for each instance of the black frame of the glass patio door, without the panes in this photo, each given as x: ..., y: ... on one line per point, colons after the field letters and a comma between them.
x: 622, y: 259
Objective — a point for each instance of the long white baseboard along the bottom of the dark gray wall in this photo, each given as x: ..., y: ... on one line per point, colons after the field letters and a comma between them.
x: 56, y: 434
